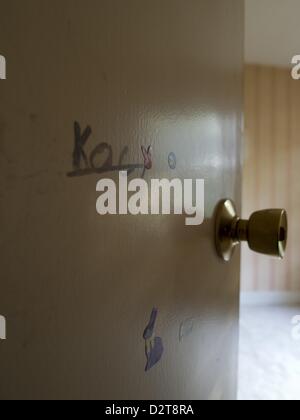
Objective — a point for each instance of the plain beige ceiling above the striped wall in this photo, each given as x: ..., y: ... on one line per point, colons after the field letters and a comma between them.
x: 272, y: 31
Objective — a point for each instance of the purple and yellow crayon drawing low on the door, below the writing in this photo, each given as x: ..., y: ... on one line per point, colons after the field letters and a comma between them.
x: 153, y: 345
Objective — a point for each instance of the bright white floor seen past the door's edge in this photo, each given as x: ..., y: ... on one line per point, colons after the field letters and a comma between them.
x: 269, y: 366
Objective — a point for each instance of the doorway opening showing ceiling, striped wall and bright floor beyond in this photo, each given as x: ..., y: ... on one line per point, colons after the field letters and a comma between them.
x: 269, y: 365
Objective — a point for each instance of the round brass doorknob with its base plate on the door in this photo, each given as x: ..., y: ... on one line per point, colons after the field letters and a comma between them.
x: 266, y: 231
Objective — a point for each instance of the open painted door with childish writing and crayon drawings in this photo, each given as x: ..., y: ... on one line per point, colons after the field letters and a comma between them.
x: 117, y: 306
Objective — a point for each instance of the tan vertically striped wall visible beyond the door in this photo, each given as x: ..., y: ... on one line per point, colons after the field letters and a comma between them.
x: 272, y: 171
